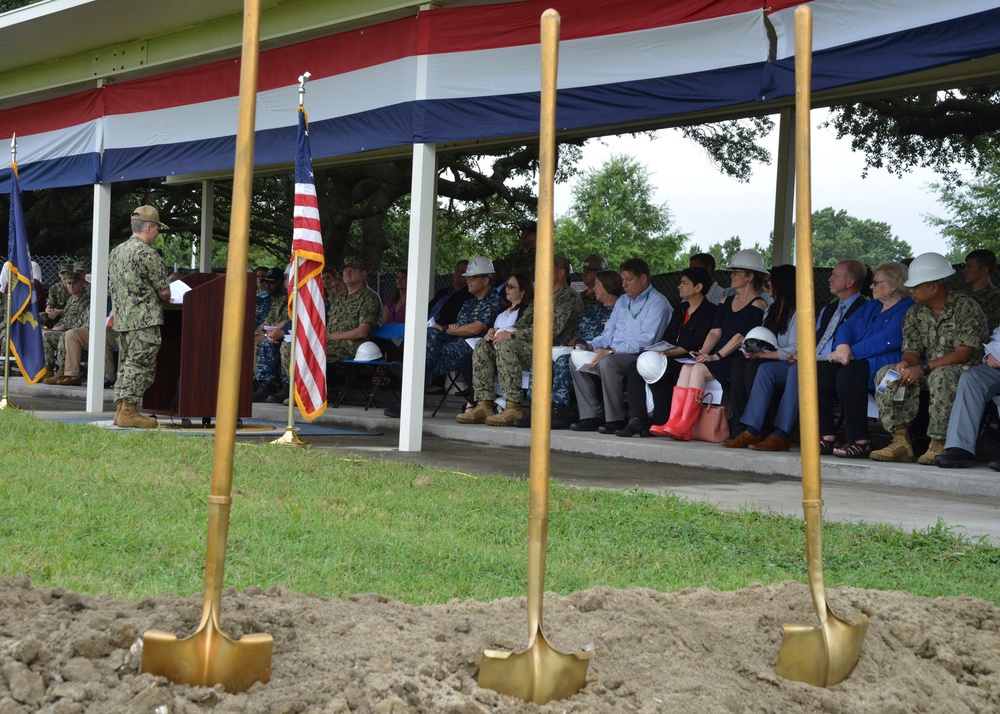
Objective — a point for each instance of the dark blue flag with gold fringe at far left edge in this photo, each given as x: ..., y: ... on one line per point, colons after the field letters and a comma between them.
x: 25, y: 331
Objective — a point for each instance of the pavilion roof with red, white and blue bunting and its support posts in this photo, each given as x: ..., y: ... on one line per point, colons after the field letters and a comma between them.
x: 95, y: 100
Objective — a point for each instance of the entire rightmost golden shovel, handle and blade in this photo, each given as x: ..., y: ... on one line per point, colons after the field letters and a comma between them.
x: 824, y: 655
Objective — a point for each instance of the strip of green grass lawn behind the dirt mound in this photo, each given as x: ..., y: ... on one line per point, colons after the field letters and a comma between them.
x: 124, y: 513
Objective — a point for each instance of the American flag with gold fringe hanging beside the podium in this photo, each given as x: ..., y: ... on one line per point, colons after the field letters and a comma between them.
x: 307, y: 250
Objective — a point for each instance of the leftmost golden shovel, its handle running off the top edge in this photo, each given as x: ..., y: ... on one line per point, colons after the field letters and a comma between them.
x: 208, y: 657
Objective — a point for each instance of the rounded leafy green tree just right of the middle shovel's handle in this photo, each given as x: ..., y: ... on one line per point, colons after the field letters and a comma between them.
x: 613, y: 214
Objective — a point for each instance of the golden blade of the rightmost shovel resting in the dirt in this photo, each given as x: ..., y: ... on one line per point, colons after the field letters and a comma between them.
x: 821, y: 656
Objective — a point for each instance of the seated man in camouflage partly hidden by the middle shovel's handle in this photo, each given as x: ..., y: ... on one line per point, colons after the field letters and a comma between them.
x: 507, y: 354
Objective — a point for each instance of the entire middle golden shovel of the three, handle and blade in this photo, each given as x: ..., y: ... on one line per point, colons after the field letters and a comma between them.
x: 540, y: 673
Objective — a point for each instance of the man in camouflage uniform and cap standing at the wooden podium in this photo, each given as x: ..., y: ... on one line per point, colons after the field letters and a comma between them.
x: 139, y: 288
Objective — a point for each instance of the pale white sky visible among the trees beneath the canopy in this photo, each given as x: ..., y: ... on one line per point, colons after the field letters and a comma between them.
x: 711, y: 207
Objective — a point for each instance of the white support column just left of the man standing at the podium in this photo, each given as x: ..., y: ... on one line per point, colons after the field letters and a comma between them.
x: 98, y: 296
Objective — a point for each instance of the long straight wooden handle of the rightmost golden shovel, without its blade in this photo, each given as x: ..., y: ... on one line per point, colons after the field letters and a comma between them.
x: 805, y: 299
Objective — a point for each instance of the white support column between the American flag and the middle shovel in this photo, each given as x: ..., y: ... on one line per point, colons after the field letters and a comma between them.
x: 423, y: 210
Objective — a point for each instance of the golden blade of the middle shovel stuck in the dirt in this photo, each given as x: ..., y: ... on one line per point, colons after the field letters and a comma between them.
x: 538, y: 674
